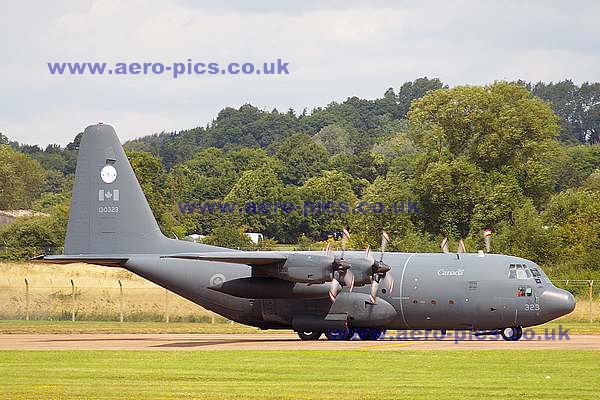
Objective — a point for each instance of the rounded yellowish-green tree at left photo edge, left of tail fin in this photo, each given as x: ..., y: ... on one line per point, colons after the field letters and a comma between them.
x: 21, y: 179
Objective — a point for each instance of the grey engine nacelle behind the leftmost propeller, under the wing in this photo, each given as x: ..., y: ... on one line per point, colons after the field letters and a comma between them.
x: 303, y: 268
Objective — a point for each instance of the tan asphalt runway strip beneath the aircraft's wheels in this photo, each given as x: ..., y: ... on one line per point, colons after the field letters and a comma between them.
x: 279, y: 342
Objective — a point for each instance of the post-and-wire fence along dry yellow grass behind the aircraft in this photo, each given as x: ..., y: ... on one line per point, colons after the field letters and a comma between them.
x: 123, y: 302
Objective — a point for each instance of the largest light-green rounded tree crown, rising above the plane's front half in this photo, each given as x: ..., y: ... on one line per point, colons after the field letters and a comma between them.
x: 494, y: 127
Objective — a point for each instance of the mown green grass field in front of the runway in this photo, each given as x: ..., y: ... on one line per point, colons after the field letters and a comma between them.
x: 299, y: 374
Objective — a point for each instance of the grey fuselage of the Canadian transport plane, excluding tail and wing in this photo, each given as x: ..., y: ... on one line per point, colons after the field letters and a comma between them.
x: 432, y: 291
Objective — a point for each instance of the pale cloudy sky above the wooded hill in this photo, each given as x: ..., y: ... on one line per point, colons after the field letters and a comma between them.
x: 335, y: 49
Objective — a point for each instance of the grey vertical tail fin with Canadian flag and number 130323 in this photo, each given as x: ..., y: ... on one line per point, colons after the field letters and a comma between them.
x: 109, y: 212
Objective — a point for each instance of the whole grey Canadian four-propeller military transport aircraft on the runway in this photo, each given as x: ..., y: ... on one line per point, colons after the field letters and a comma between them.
x: 340, y: 294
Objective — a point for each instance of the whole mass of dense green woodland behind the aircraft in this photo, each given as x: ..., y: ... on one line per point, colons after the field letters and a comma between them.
x: 522, y: 159
